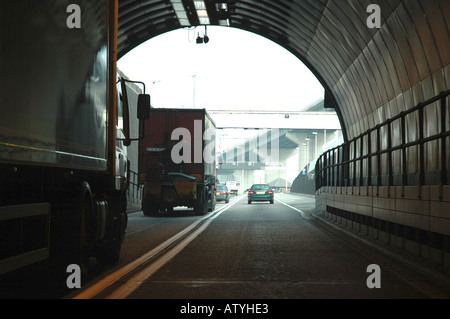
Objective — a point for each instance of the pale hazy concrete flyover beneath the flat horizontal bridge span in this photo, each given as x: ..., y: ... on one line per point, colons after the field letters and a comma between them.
x: 274, y: 155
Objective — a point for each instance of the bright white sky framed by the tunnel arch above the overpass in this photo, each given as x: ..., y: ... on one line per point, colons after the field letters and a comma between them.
x: 236, y: 70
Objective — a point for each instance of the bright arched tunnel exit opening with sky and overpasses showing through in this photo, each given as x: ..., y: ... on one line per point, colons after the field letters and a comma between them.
x: 259, y: 94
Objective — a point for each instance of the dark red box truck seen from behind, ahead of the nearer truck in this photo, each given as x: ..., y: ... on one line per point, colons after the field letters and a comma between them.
x: 177, y: 163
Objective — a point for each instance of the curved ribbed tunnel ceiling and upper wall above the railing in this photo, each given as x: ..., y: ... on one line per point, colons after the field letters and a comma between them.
x: 369, y: 74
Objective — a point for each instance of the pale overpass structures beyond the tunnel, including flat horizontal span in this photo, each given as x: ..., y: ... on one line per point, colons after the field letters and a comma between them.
x: 284, y: 144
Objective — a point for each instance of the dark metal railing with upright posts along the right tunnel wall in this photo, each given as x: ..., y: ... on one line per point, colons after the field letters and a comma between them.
x: 367, y: 160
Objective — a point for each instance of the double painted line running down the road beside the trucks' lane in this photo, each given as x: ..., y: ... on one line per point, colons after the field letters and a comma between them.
x: 136, y: 280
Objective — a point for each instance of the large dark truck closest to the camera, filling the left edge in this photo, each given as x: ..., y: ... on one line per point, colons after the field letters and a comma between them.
x: 64, y: 132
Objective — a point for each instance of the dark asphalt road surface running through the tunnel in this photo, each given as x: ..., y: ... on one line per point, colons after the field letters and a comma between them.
x: 240, y: 251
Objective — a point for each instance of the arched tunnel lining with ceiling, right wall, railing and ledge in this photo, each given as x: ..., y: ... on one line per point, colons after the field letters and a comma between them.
x: 385, y: 67
